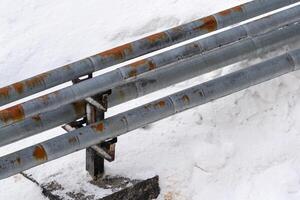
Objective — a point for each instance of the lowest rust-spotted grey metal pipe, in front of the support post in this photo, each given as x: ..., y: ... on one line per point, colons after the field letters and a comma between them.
x: 122, y: 123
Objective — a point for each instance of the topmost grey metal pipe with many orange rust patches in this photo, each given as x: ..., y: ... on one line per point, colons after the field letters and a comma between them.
x: 137, y: 48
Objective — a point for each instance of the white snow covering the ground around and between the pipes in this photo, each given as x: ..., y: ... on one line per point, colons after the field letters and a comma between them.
x: 244, y: 146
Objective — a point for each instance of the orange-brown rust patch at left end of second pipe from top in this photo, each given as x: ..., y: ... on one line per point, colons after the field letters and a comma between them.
x: 15, y: 113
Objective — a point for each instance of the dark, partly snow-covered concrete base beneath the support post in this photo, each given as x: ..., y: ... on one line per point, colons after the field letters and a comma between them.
x: 111, y: 188
